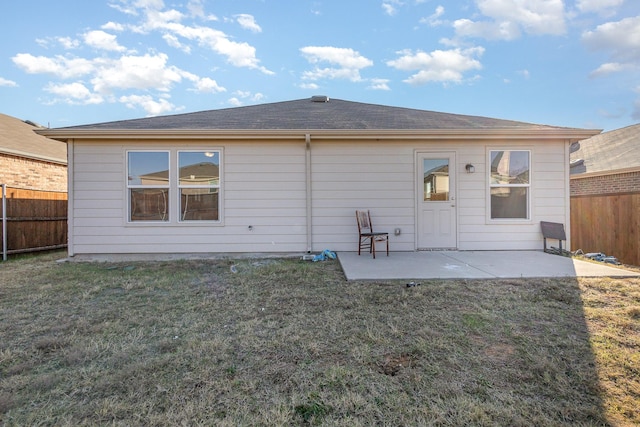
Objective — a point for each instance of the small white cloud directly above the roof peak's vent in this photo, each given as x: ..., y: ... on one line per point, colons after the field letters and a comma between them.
x: 349, y: 63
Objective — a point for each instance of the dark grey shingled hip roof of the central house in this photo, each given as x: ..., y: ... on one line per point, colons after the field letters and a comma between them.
x: 310, y: 114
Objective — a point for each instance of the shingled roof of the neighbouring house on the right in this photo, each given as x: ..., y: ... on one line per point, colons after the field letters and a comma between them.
x: 614, y: 151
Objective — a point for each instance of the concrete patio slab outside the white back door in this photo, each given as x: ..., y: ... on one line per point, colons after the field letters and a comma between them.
x: 471, y: 265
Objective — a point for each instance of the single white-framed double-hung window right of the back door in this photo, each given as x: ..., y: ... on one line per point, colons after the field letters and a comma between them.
x: 510, y: 184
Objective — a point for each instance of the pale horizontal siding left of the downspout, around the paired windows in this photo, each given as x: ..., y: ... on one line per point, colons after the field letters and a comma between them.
x: 263, y: 186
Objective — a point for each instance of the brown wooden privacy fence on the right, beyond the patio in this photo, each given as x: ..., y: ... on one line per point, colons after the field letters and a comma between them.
x: 607, y: 223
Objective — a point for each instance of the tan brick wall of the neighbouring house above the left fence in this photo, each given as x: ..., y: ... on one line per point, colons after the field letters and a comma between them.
x: 32, y: 174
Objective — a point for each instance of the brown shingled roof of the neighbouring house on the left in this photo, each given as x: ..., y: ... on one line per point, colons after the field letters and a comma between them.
x: 18, y: 138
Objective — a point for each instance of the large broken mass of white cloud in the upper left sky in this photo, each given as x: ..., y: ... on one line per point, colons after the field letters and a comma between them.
x: 118, y: 73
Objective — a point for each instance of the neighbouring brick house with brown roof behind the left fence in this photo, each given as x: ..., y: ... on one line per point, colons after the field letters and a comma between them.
x: 29, y: 160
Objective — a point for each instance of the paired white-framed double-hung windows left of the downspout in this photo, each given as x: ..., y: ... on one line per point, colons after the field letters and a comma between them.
x: 173, y: 186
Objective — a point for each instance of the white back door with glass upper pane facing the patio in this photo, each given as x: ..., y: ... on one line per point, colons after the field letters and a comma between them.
x: 436, y: 186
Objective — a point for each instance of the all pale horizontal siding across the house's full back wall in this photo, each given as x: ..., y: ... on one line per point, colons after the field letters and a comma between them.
x: 264, y: 186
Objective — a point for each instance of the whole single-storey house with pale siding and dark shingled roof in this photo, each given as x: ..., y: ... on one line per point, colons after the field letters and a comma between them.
x: 288, y: 176
